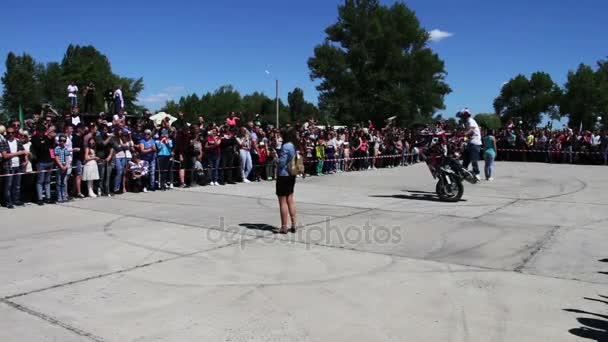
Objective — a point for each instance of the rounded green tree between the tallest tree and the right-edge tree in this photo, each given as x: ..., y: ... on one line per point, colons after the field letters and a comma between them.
x: 529, y: 99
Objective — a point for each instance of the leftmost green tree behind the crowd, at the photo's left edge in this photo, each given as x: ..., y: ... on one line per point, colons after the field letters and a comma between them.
x: 21, y: 84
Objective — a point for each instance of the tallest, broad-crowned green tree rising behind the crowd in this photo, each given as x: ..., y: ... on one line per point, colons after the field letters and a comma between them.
x: 375, y: 62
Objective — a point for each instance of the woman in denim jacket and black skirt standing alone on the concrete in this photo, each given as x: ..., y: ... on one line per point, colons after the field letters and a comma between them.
x: 286, y: 182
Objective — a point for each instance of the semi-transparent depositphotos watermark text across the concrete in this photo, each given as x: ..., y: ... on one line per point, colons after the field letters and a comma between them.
x: 322, y: 233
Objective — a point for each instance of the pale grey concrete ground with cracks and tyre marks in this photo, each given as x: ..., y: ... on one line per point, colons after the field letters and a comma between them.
x: 378, y: 258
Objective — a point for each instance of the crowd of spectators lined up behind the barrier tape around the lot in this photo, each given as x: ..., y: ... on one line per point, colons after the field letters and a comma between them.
x: 111, y: 154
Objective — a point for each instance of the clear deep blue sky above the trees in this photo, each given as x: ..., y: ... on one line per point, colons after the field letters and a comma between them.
x: 180, y: 47
